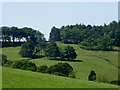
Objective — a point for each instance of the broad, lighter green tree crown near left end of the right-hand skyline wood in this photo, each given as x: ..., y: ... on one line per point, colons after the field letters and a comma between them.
x: 72, y: 34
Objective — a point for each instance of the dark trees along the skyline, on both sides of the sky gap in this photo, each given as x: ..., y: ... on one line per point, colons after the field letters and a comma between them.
x: 101, y: 37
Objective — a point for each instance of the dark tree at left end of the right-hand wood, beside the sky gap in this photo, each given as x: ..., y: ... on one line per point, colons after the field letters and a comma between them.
x: 54, y: 34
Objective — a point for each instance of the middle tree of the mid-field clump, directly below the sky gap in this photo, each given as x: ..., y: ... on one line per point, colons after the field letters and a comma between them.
x: 52, y: 50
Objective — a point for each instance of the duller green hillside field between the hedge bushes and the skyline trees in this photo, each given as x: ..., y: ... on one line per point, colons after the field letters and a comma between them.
x: 104, y: 63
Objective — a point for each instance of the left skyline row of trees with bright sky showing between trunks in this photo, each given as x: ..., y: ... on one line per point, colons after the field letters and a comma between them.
x: 14, y: 36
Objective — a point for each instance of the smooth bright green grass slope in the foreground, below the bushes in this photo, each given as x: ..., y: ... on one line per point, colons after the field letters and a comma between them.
x: 16, y: 78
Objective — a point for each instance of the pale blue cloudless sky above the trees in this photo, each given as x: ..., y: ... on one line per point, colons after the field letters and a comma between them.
x: 43, y: 16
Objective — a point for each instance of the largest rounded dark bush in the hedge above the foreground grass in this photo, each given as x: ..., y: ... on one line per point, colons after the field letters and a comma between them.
x: 61, y: 69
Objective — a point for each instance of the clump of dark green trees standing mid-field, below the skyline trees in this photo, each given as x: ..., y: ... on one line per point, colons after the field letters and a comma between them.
x: 50, y: 50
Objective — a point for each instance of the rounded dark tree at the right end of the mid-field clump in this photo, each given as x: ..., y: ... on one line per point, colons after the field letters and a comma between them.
x: 69, y: 53
